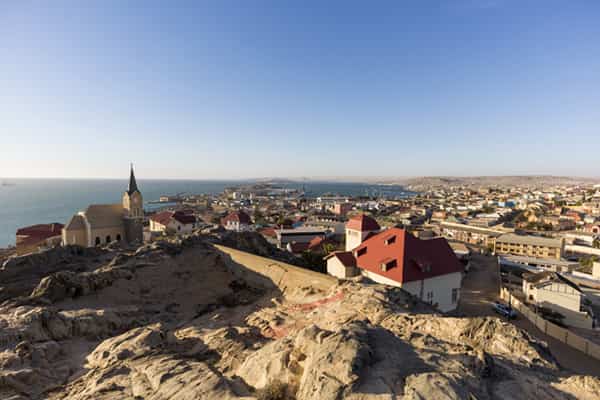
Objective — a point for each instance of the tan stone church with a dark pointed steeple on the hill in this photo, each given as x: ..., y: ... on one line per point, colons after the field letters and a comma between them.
x: 101, y: 224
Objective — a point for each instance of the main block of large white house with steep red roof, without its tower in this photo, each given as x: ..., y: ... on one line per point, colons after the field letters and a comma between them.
x: 428, y: 269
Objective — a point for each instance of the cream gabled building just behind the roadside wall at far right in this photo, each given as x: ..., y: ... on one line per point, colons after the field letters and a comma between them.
x: 553, y: 291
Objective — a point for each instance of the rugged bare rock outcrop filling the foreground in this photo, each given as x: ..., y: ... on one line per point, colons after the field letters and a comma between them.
x: 170, y: 321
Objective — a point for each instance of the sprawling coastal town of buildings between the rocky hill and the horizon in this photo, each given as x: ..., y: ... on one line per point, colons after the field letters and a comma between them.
x: 544, y: 239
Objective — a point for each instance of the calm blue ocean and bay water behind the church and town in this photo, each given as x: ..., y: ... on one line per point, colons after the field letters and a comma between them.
x: 26, y: 202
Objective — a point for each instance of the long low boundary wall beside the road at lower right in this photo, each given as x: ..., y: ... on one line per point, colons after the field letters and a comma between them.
x: 559, y: 333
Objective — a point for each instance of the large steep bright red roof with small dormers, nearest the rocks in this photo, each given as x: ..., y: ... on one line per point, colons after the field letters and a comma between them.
x: 407, y: 257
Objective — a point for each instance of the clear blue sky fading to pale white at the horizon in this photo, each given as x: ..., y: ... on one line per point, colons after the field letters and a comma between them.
x: 306, y: 88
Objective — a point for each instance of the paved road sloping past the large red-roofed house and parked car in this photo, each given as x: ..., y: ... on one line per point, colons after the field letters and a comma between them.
x: 481, y: 287
